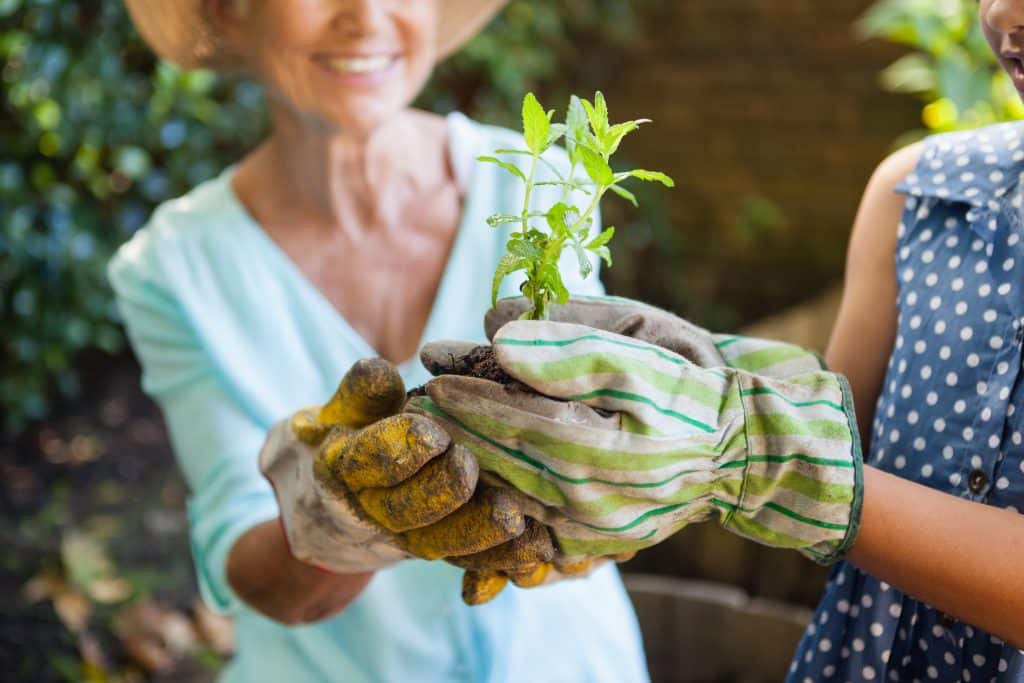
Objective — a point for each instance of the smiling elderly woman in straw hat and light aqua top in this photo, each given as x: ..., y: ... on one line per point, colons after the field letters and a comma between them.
x: 357, y: 229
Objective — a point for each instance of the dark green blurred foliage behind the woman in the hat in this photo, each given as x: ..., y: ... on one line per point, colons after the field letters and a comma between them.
x: 95, y: 133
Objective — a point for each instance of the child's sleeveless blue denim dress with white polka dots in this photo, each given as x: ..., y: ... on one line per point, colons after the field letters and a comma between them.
x: 952, y: 411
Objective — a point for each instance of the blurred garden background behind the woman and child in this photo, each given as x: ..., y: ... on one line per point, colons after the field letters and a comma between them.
x: 770, y: 115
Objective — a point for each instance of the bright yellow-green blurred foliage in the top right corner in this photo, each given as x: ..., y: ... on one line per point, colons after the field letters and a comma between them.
x: 952, y: 68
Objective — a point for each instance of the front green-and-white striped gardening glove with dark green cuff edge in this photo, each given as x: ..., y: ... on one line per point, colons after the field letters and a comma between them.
x: 652, y: 443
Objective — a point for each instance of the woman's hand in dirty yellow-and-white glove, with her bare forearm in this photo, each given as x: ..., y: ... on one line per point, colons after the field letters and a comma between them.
x: 362, y: 487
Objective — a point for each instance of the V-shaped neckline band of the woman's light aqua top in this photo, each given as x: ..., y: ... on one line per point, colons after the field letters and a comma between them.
x: 456, y: 129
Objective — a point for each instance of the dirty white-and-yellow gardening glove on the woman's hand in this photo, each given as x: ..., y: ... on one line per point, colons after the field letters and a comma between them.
x: 362, y: 487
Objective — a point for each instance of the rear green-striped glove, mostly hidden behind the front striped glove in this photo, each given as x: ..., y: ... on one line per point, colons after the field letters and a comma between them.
x: 639, y: 321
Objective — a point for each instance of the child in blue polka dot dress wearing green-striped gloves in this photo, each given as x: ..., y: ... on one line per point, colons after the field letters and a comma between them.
x: 930, y: 337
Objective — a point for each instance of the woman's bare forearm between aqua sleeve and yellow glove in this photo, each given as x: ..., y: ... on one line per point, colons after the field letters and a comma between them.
x: 264, y: 573
